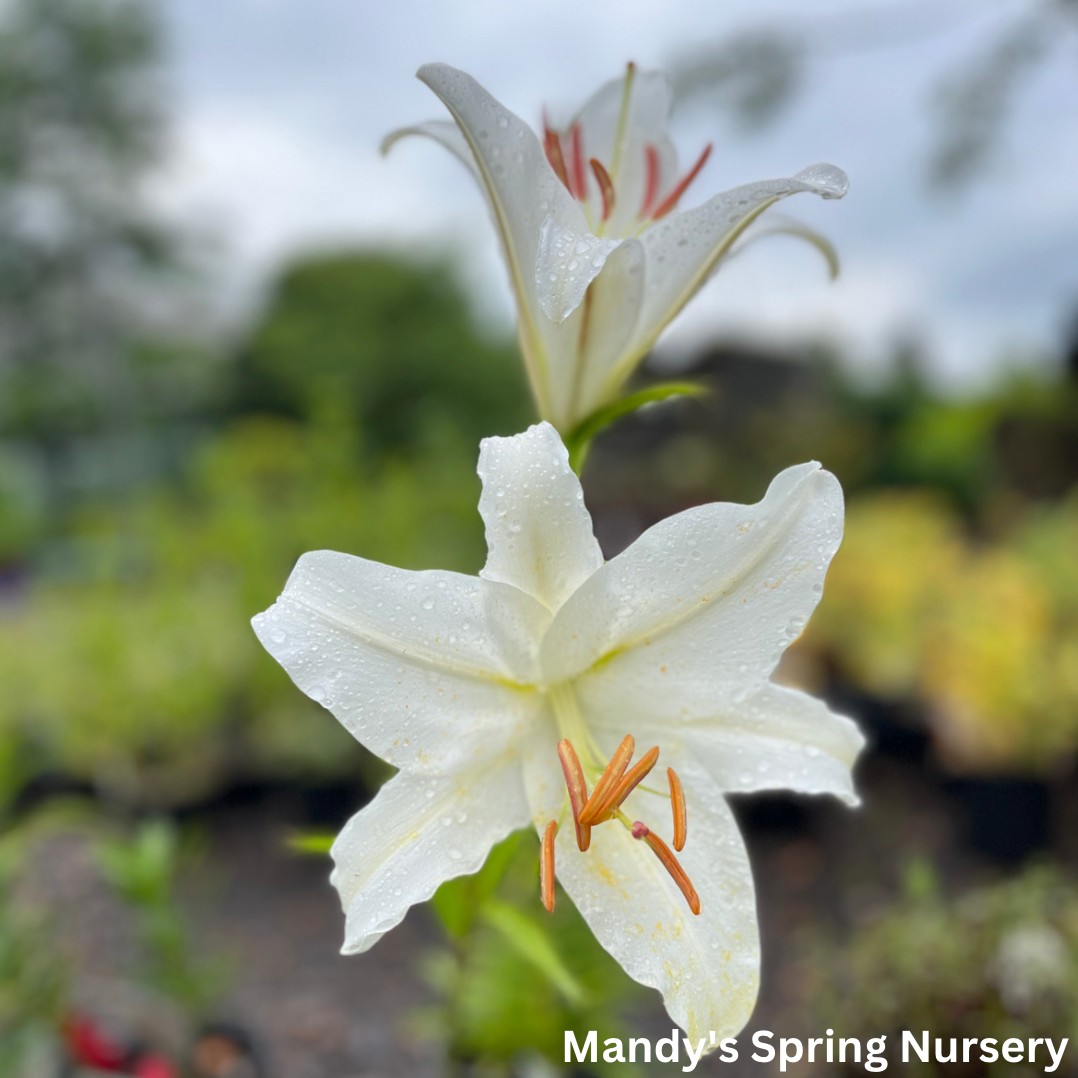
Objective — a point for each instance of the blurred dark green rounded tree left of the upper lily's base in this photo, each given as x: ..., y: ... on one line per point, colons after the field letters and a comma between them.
x: 392, y: 342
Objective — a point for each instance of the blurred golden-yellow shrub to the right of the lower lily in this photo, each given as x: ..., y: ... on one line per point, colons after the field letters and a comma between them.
x: 986, y: 634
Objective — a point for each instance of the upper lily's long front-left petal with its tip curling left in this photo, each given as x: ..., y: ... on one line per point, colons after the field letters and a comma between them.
x: 523, y: 192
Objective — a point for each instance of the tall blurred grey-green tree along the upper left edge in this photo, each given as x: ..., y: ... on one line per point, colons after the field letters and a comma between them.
x: 84, y: 264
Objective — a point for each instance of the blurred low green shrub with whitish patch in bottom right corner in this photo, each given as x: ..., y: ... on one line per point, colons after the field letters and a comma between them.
x: 1001, y: 962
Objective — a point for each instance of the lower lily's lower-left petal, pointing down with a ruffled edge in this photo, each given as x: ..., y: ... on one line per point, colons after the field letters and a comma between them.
x: 420, y: 832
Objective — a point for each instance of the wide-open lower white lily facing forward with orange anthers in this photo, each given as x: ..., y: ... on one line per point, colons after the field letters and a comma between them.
x: 479, y: 688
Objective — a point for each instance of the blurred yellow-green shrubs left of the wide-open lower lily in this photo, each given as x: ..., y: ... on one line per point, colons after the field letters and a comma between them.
x: 129, y: 659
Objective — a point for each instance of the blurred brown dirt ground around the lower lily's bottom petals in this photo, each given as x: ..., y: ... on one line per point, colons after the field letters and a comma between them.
x: 272, y: 916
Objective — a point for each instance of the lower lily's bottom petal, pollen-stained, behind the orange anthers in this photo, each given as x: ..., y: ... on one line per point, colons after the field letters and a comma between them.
x: 707, y: 968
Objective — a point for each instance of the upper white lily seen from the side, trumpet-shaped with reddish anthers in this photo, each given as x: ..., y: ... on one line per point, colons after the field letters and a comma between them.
x: 599, y: 260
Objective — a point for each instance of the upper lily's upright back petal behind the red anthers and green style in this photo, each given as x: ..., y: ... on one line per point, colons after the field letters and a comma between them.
x: 647, y: 123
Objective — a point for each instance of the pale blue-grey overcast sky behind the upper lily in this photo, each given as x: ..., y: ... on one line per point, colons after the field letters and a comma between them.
x: 281, y: 105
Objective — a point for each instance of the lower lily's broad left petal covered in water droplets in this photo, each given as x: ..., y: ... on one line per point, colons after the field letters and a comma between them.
x: 424, y: 669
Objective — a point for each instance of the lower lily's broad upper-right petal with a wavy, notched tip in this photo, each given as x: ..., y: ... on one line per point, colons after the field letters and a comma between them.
x: 710, y: 597
